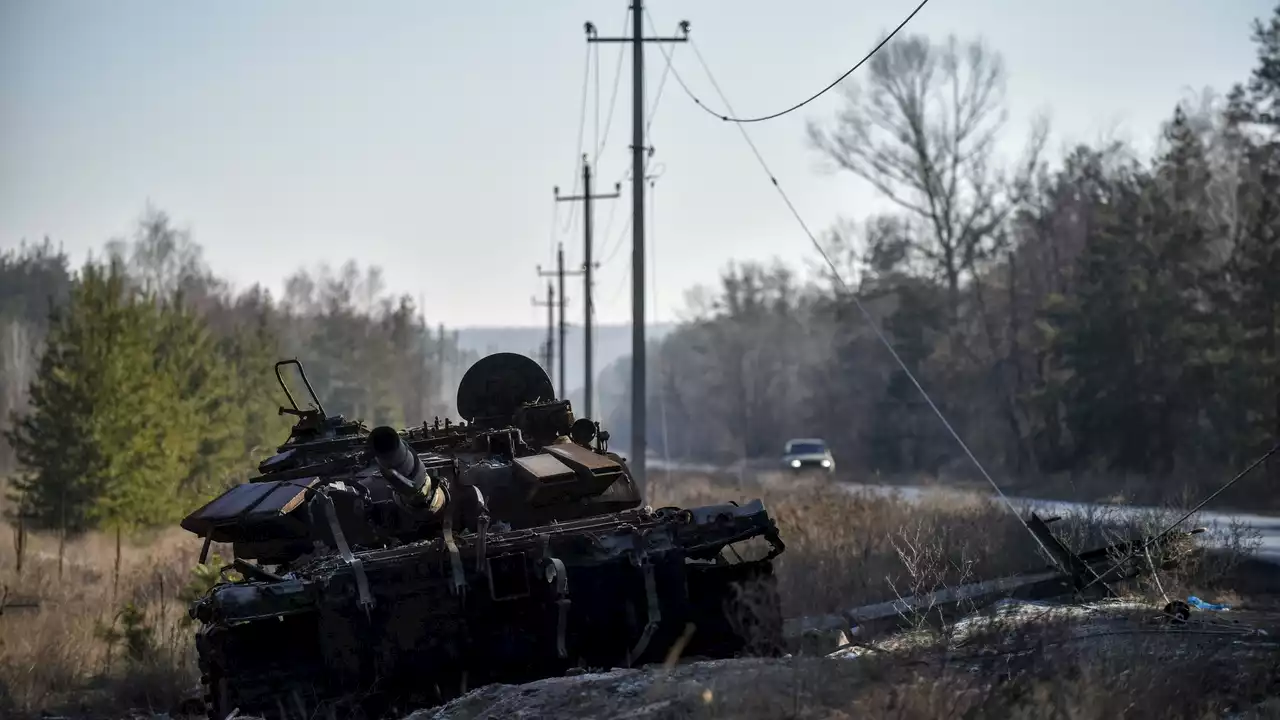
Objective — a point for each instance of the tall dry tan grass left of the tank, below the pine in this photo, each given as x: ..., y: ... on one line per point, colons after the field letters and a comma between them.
x: 84, y: 651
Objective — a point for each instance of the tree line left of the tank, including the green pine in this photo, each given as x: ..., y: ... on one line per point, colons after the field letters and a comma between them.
x: 141, y: 384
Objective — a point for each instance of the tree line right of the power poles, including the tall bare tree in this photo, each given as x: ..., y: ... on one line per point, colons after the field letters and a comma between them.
x: 1094, y: 313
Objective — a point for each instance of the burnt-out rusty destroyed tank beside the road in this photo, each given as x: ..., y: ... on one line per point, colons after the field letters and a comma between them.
x: 383, y: 571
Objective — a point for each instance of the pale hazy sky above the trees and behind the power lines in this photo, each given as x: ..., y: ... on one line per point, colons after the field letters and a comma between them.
x: 426, y: 136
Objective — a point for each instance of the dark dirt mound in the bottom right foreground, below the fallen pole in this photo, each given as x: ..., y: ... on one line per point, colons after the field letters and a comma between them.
x: 1018, y: 660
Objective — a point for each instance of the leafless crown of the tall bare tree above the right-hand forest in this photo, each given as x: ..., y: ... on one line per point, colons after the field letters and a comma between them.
x: 922, y: 131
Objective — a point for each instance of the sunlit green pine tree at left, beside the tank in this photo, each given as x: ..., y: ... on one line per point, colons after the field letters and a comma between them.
x: 134, y: 413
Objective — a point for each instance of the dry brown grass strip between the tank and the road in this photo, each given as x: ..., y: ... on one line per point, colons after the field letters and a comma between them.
x: 854, y: 549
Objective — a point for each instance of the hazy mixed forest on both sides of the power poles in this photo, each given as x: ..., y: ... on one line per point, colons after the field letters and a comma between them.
x: 1081, y: 320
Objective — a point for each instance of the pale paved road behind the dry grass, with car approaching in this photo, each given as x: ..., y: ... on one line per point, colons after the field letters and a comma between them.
x: 1267, y: 527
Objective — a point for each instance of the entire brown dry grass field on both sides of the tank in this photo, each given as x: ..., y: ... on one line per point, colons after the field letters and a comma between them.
x: 97, y: 648
